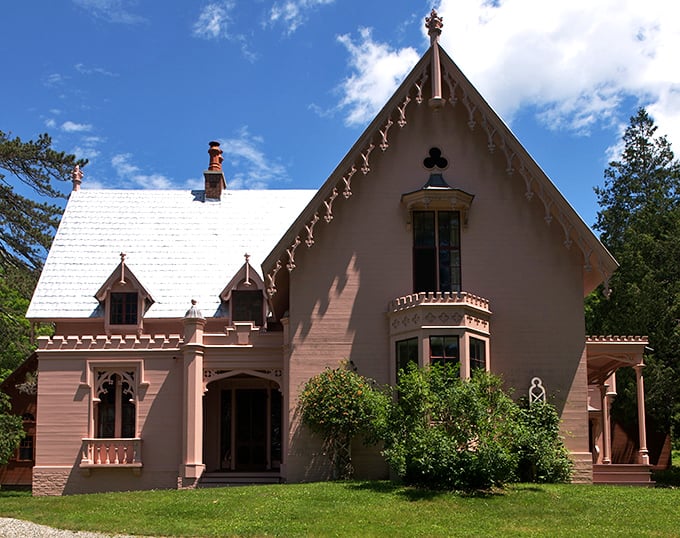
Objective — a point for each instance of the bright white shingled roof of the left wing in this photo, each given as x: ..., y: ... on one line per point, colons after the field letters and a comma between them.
x: 179, y: 246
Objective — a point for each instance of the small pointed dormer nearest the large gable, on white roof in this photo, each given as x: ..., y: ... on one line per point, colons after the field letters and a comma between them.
x: 245, y: 296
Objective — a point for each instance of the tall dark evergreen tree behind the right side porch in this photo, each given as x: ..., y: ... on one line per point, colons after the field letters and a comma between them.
x: 639, y: 221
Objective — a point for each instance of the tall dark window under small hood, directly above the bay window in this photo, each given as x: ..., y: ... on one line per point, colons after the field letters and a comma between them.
x: 436, y: 251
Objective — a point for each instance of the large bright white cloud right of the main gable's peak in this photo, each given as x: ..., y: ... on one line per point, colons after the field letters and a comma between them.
x: 574, y: 63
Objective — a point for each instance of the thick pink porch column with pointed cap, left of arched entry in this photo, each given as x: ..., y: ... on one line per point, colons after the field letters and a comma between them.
x: 192, y: 410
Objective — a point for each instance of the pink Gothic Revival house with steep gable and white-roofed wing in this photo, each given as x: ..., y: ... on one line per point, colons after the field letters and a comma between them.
x: 186, y: 322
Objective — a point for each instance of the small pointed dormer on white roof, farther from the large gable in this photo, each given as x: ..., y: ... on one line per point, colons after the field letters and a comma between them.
x: 124, y: 300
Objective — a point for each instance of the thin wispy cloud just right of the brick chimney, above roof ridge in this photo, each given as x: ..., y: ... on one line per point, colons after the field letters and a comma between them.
x: 254, y: 170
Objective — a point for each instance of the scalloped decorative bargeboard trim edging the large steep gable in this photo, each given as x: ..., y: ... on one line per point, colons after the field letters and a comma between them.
x: 437, y: 82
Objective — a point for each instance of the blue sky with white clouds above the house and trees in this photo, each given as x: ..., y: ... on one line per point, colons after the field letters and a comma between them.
x: 139, y: 87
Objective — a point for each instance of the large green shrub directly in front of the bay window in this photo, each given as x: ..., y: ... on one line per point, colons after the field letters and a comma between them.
x: 451, y: 434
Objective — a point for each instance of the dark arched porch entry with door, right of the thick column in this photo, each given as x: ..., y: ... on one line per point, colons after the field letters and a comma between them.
x: 242, y: 418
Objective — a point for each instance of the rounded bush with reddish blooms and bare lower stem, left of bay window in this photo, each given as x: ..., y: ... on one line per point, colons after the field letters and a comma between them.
x: 339, y: 404
